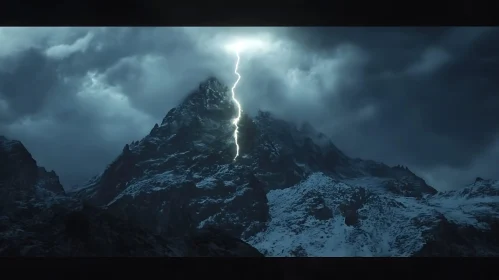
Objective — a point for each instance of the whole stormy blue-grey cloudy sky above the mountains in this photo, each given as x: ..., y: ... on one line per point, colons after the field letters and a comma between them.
x: 427, y: 97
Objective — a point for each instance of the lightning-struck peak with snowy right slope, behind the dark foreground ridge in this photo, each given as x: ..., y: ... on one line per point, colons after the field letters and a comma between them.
x: 290, y: 192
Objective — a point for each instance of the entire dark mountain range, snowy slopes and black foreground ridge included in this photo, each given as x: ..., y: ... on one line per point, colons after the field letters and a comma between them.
x: 290, y: 192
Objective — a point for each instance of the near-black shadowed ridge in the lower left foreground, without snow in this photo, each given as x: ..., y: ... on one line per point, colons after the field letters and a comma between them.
x: 38, y: 219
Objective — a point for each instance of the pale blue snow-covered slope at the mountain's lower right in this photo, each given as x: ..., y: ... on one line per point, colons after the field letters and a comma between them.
x: 387, y: 225
